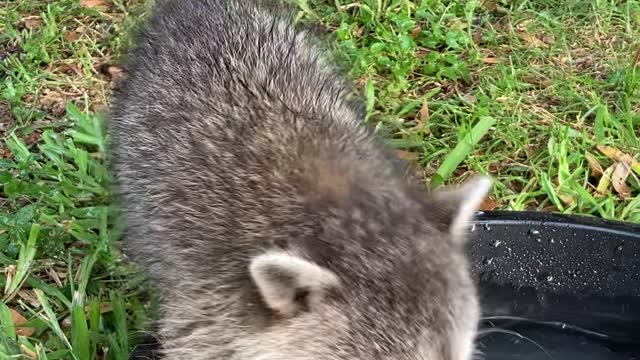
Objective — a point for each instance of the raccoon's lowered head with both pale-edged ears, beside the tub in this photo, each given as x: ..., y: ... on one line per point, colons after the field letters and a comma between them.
x: 397, y: 287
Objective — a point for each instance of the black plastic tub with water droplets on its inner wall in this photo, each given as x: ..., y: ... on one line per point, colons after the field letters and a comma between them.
x: 557, y: 287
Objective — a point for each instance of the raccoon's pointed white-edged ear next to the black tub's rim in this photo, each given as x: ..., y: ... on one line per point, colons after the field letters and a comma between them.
x: 455, y: 207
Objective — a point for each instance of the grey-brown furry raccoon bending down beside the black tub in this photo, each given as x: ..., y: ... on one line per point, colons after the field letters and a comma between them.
x: 275, y: 224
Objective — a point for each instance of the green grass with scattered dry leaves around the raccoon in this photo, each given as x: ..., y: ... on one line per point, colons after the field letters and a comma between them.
x: 540, y: 94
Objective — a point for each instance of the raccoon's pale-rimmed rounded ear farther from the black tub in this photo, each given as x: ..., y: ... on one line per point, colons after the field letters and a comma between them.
x: 289, y: 283
